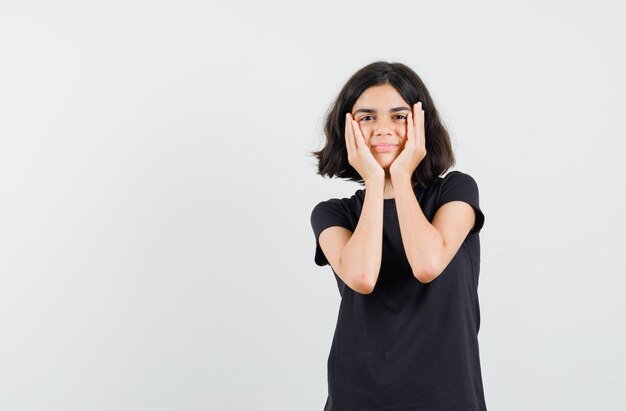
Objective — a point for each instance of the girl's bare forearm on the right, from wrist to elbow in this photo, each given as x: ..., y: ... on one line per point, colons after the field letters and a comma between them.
x: 423, y: 244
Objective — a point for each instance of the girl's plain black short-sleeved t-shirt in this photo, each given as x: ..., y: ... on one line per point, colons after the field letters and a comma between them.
x: 407, y: 345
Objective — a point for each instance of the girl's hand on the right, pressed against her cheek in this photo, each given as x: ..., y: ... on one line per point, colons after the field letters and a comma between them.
x: 415, y: 146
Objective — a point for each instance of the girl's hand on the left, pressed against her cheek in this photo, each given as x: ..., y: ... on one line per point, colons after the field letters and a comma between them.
x: 359, y: 155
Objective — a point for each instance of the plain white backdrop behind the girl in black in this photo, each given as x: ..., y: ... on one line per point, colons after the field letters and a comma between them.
x: 156, y: 187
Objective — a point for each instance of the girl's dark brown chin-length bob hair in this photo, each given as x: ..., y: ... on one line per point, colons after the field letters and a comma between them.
x: 333, y: 158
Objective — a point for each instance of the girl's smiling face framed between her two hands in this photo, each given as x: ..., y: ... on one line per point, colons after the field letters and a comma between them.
x: 382, y: 115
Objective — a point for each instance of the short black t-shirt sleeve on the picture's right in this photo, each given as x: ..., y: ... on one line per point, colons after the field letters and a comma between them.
x: 458, y: 186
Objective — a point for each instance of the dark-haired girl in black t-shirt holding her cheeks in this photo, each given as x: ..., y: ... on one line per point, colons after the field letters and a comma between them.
x: 405, y: 251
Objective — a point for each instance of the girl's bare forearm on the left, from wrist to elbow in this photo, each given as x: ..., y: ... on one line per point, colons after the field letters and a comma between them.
x: 362, y: 254
